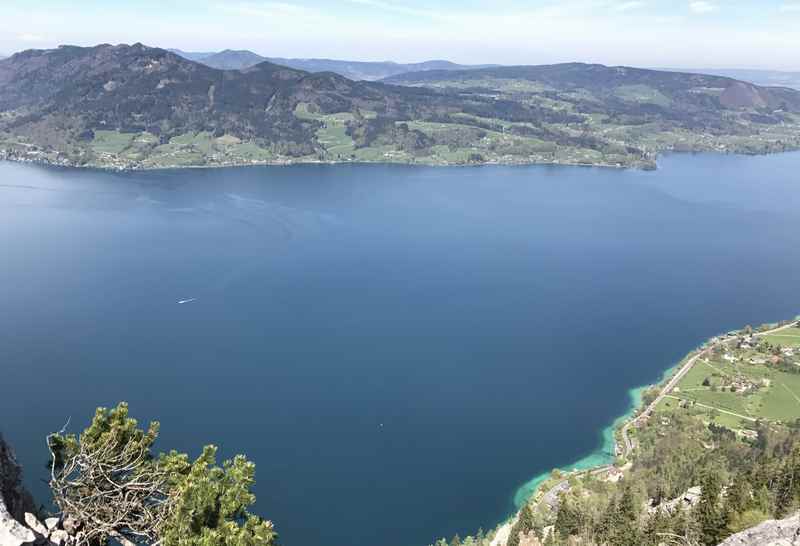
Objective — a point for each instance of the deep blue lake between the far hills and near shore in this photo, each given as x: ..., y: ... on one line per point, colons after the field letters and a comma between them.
x: 397, y: 348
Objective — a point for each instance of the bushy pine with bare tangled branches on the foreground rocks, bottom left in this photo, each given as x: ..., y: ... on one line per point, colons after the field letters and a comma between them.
x: 167, y: 498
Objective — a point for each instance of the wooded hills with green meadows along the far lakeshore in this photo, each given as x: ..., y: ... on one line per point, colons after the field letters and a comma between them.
x: 138, y: 107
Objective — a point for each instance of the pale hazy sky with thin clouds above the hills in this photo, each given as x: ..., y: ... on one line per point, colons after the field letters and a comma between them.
x: 668, y: 33
